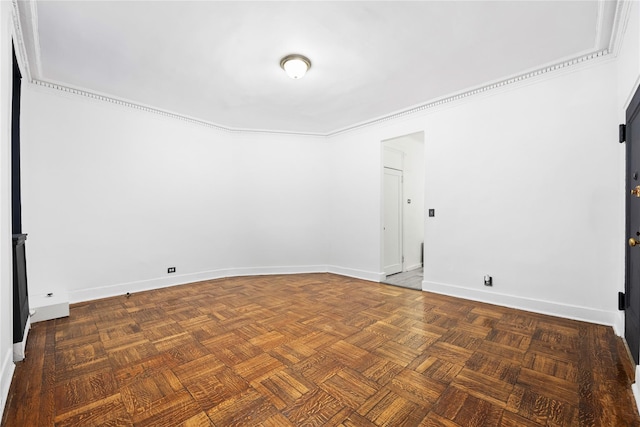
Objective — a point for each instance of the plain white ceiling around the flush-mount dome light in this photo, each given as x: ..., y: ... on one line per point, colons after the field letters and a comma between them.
x: 219, y: 61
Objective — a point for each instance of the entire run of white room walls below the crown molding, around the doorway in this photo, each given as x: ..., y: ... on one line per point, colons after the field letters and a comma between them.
x: 525, y: 181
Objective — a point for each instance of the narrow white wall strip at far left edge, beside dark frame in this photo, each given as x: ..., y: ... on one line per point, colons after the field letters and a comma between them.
x: 6, y: 283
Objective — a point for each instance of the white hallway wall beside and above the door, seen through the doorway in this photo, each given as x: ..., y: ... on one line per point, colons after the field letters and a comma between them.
x: 413, y: 214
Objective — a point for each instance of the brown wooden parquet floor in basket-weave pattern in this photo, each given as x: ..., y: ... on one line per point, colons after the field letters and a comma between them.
x: 316, y: 350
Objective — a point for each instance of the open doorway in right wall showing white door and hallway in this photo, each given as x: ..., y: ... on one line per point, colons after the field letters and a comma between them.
x: 403, y: 176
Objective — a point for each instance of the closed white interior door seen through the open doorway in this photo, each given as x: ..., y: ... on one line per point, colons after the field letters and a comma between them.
x: 392, y: 221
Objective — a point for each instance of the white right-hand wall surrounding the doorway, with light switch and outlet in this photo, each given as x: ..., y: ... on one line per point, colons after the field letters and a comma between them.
x: 525, y: 183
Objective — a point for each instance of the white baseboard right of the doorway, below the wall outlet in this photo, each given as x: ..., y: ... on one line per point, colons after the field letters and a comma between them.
x: 585, y: 314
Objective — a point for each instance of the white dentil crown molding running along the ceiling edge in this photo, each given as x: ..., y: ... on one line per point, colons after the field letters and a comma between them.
x: 620, y: 22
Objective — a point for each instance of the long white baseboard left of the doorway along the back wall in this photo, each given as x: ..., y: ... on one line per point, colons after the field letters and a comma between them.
x: 181, y: 279
